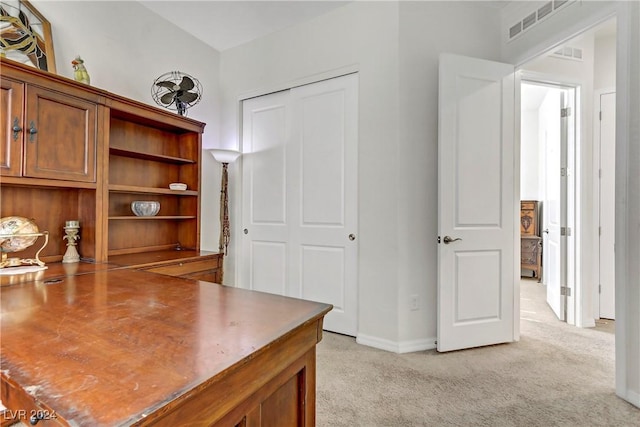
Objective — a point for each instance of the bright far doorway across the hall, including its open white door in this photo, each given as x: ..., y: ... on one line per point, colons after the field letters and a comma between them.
x: 548, y: 118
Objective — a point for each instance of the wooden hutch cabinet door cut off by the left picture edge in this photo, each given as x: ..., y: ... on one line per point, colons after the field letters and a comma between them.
x: 11, y: 131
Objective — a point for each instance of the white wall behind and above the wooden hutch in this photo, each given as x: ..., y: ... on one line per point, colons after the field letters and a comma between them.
x: 125, y: 48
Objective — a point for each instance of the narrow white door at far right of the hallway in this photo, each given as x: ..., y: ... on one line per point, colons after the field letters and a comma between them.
x: 607, y: 204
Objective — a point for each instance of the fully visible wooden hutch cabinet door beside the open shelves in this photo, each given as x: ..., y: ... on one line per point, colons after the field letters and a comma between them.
x: 60, y: 136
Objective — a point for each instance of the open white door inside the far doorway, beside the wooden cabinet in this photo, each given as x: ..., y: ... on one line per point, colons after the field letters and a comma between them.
x: 554, y: 205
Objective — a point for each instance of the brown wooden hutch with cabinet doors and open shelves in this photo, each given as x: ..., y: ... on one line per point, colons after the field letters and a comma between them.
x: 74, y: 152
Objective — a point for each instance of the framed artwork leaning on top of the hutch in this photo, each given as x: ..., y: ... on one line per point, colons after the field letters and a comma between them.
x: 25, y: 35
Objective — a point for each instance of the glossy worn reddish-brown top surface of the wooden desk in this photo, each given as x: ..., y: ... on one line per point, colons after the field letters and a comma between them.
x: 109, y: 347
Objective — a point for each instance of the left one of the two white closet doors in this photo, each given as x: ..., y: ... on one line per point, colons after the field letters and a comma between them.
x: 265, y: 251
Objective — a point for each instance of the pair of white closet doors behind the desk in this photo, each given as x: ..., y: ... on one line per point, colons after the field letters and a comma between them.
x: 300, y: 196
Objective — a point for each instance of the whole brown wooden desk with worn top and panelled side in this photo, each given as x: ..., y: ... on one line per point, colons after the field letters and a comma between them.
x: 124, y: 347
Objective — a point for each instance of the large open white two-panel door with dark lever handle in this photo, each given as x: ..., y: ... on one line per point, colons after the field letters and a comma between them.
x: 477, y: 197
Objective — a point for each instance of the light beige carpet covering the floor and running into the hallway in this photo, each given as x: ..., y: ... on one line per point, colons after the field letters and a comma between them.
x: 556, y: 375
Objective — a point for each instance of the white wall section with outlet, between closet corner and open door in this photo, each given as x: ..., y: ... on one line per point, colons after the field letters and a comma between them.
x: 426, y: 30
